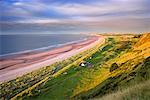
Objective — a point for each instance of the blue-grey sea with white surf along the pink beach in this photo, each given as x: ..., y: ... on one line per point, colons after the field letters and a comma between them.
x: 15, y: 44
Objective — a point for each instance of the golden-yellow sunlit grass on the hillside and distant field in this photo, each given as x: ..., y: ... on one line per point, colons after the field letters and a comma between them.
x: 136, y: 55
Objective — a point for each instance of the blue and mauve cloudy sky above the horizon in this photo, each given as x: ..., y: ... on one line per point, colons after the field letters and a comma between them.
x: 75, y: 16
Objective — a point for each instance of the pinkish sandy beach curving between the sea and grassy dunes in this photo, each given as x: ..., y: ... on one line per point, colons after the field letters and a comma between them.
x: 12, y: 67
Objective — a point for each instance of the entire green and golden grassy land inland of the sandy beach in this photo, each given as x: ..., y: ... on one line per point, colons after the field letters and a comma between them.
x: 120, y: 71
